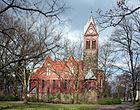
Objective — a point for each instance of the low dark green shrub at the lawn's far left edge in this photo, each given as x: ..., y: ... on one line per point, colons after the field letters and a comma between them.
x: 8, y: 98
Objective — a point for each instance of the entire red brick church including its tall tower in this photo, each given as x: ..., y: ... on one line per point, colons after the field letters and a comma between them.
x: 72, y: 76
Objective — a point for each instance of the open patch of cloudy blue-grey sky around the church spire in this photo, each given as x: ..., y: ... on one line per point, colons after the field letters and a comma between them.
x: 78, y: 14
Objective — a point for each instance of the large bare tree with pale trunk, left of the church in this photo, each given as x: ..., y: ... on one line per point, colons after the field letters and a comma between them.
x: 23, y: 45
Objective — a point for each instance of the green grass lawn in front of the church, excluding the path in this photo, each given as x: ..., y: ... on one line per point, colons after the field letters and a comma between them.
x: 44, y: 106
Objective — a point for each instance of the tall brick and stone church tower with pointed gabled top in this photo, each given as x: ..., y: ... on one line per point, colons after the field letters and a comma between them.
x: 90, y: 46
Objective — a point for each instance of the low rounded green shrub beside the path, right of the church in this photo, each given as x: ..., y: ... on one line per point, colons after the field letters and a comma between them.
x: 108, y: 101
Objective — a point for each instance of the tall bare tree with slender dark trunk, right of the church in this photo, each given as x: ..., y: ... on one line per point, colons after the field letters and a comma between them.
x: 126, y: 37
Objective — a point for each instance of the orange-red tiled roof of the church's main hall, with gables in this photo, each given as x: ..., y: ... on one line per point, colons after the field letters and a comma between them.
x: 57, y: 66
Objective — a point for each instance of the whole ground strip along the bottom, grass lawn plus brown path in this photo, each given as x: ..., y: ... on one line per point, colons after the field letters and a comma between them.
x: 47, y: 106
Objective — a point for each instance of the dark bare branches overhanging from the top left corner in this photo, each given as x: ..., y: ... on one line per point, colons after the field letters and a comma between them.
x: 52, y: 8
